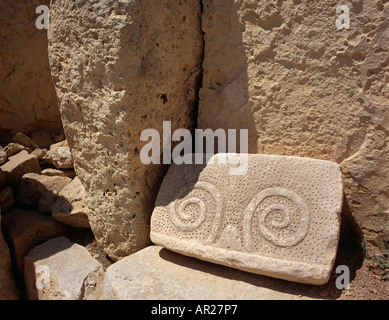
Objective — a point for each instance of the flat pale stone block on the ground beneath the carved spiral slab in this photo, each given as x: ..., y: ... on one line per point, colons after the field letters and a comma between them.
x: 155, y: 273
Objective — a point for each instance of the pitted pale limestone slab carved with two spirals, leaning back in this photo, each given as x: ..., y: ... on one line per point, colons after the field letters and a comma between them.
x: 281, y: 218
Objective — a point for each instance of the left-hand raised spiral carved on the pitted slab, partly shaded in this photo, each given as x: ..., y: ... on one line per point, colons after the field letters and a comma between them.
x: 189, y: 211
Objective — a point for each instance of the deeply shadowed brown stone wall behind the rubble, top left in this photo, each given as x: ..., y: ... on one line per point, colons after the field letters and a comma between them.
x: 28, y: 100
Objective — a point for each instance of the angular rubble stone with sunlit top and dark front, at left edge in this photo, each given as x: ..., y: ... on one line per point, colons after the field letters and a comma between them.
x: 17, y: 166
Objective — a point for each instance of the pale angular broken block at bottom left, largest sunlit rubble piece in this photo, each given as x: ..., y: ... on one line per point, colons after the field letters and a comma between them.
x: 62, y: 270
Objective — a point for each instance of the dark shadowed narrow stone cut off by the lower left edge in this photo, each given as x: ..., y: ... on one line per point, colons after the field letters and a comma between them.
x: 8, y: 289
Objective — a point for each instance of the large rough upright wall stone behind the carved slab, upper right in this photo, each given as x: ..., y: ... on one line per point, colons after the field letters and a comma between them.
x: 303, y: 87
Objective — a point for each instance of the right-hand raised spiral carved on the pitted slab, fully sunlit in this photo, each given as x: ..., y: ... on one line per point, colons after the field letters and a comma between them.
x: 290, y: 210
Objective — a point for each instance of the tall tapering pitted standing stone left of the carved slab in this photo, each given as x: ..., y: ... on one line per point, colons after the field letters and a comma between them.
x: 122, y: 67
